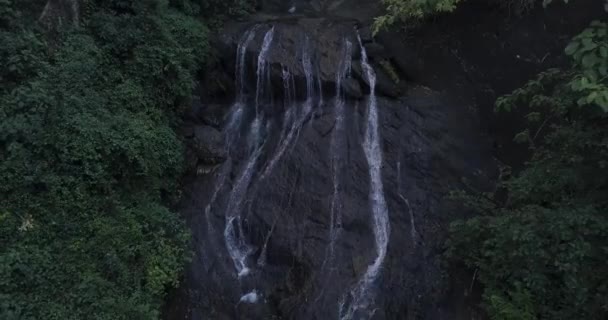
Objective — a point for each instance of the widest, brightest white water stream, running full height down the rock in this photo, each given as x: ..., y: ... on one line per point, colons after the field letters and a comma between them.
x: 360, y: 296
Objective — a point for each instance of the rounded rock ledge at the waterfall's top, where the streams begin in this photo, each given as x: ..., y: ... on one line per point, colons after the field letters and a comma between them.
x: 324, y: 37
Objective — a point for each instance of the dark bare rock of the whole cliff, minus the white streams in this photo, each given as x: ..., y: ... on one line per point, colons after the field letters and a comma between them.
x: 430, y: 140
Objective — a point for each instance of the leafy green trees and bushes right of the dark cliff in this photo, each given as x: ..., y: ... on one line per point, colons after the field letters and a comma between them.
x: 540, y: 253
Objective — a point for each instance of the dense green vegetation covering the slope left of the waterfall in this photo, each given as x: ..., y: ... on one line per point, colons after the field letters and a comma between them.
x: 88, y: 157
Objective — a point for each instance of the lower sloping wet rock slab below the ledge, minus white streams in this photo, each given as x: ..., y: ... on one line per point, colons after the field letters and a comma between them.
x: 288, y: 212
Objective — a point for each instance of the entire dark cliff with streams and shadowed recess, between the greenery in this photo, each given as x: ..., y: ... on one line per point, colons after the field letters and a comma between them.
x: 283, y: 201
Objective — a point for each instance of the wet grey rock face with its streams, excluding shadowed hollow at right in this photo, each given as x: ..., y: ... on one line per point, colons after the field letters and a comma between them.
x: 286, y: 227
